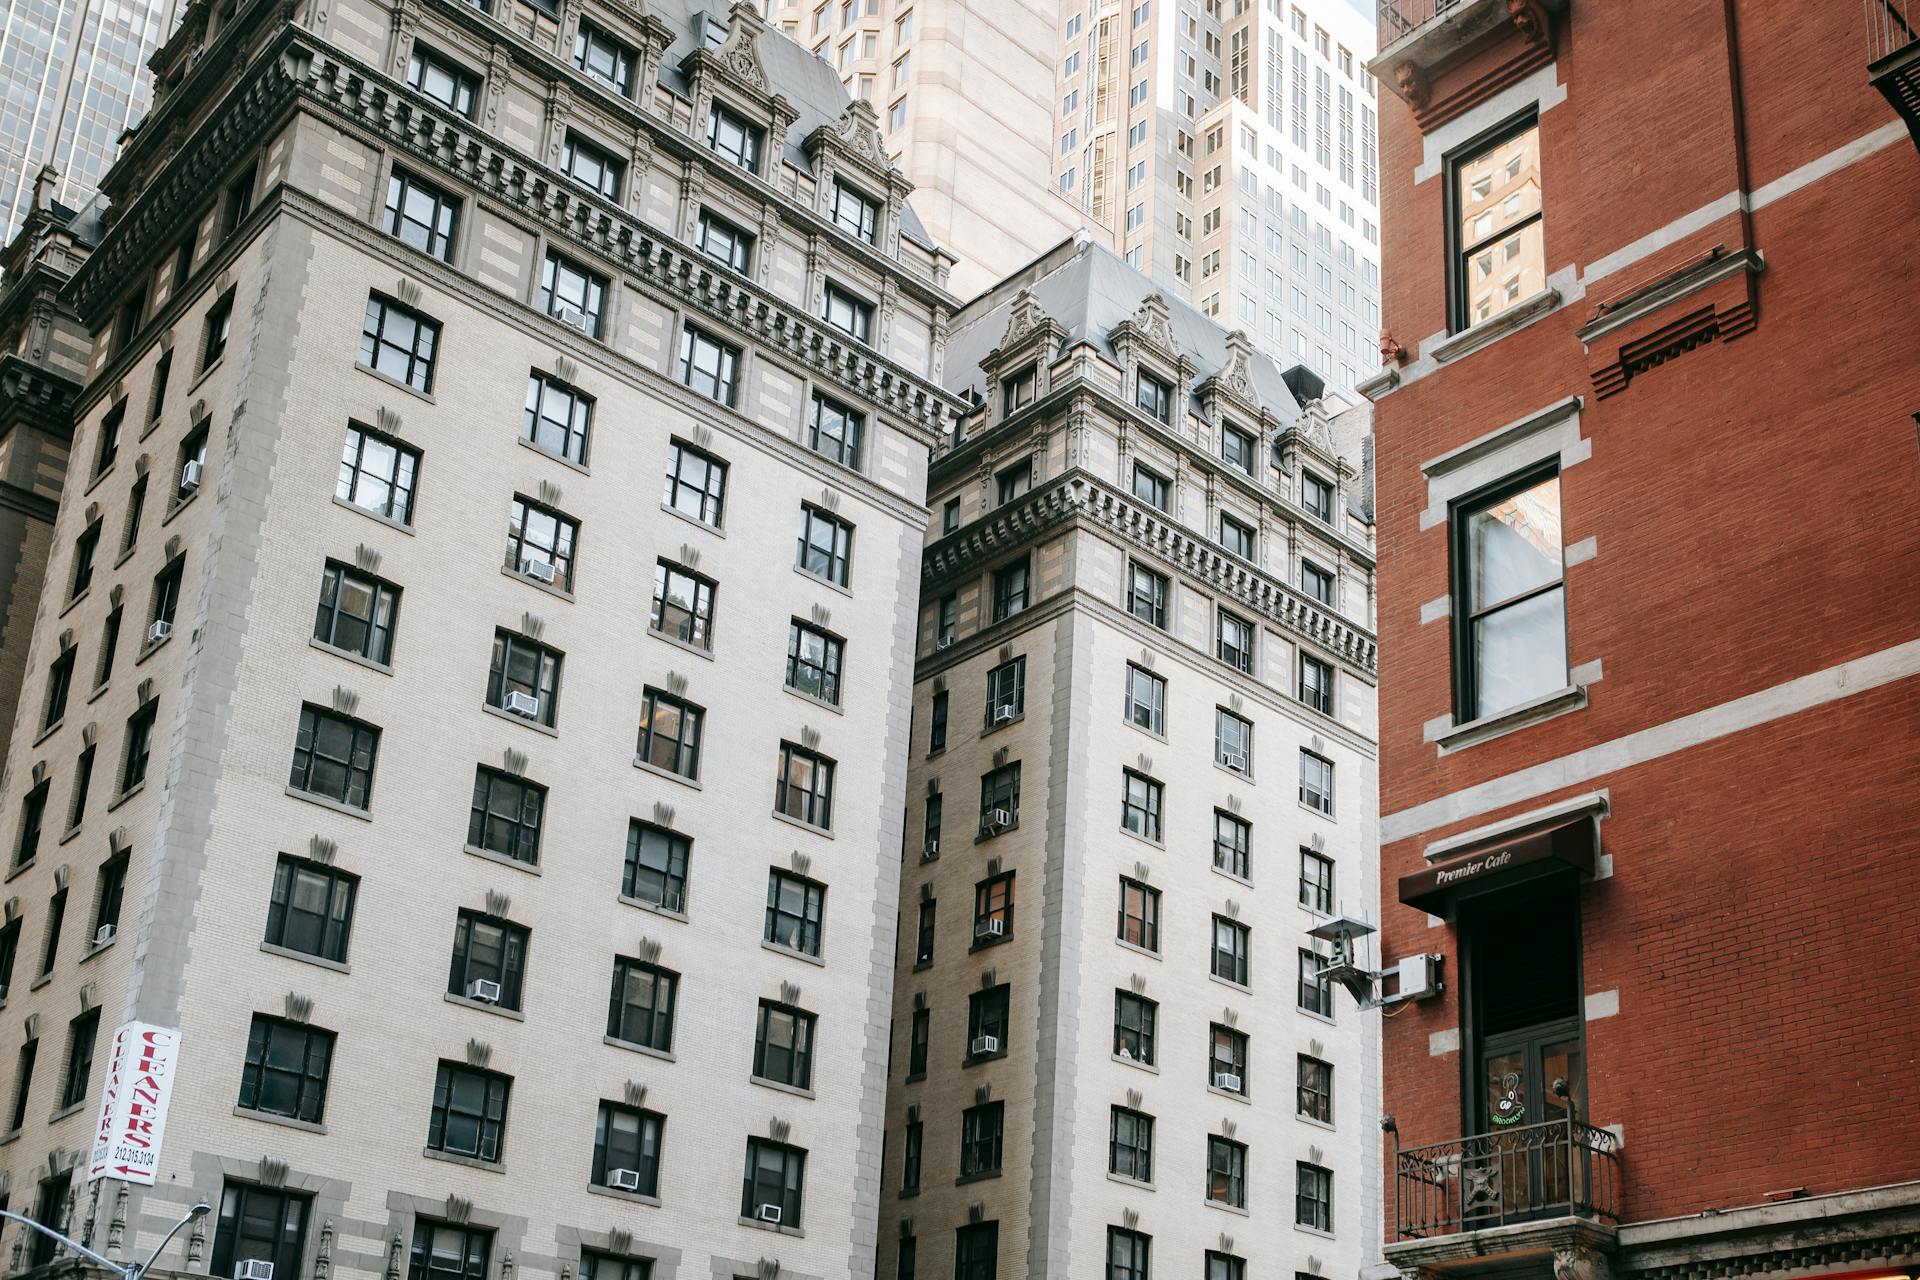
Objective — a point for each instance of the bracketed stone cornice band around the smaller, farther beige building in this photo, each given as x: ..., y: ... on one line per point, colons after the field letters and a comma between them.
x: 1082, y: 500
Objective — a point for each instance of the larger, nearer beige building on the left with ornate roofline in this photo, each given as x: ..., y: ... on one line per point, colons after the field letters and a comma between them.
x: 481, y: 728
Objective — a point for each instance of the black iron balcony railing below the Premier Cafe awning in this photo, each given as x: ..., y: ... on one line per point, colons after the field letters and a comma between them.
x: 1514, y: 1175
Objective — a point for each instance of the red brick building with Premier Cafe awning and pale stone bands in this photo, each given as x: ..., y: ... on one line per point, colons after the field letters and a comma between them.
x: 1650, y: 632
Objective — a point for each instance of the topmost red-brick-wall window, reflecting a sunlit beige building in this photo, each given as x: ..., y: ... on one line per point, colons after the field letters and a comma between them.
x: 1495, y: 225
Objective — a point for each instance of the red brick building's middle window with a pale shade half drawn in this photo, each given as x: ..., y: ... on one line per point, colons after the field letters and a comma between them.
x: 1510, y: 602
